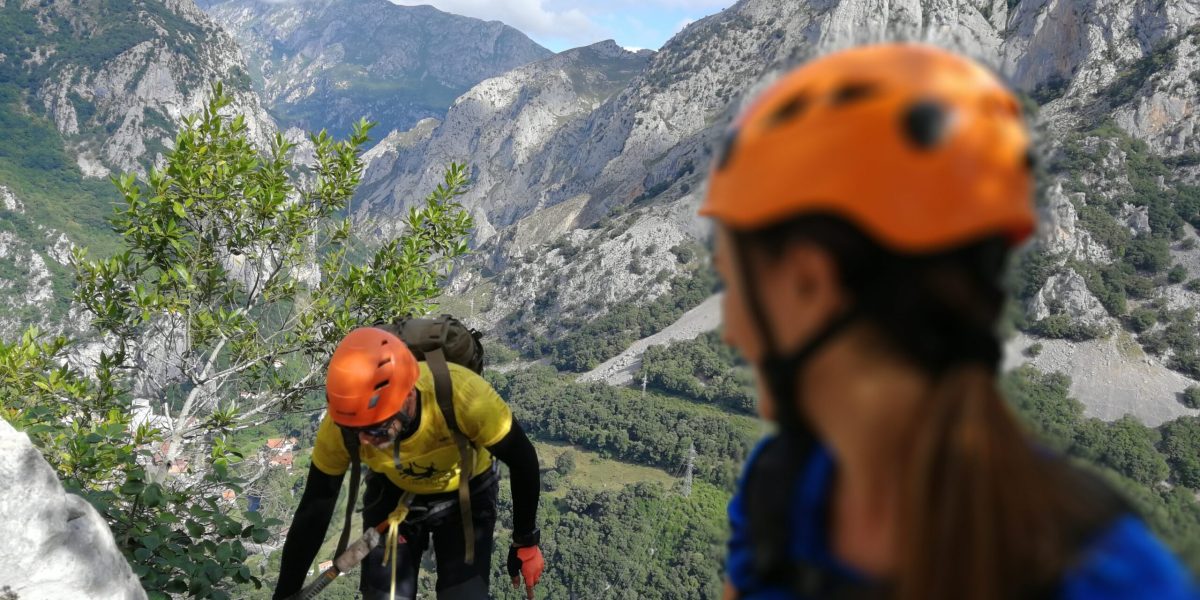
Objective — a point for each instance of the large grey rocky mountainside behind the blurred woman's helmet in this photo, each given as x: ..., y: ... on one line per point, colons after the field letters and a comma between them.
x: 1112, y: 94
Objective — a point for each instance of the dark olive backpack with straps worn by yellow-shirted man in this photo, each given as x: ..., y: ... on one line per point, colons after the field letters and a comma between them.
x: 436, y: 341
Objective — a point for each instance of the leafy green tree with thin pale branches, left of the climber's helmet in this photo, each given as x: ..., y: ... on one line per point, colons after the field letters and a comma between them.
x: 250, y: 277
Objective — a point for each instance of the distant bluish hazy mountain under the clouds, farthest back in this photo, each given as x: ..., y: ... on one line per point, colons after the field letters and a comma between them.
x: 325, y: 64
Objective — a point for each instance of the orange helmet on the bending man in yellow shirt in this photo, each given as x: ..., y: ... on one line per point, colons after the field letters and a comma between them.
x: 370, y: 377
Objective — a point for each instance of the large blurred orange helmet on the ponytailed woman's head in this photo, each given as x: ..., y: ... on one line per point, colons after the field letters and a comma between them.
x: 920, y: 148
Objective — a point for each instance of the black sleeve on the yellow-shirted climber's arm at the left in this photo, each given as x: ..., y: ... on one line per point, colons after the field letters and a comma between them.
x: 308, y: 531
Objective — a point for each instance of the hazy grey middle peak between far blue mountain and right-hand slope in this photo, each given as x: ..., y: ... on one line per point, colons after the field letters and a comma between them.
x: 502, y: 129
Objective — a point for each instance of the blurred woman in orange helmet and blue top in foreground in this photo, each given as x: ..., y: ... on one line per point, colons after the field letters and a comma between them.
x: 866, y: 207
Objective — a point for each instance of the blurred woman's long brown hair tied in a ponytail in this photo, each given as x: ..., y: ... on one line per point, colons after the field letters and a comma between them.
x: 985, y: 514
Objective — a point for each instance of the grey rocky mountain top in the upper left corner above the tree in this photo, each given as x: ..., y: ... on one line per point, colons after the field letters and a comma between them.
x: 116, y: 77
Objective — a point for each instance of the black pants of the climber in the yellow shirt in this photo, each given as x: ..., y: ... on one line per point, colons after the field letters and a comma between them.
x: 457, y: 580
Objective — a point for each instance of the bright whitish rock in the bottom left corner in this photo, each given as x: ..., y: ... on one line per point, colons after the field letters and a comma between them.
x: 56, y: 545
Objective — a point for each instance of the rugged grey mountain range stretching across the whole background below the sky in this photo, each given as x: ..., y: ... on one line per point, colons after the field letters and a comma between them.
x: 589, y: 165
